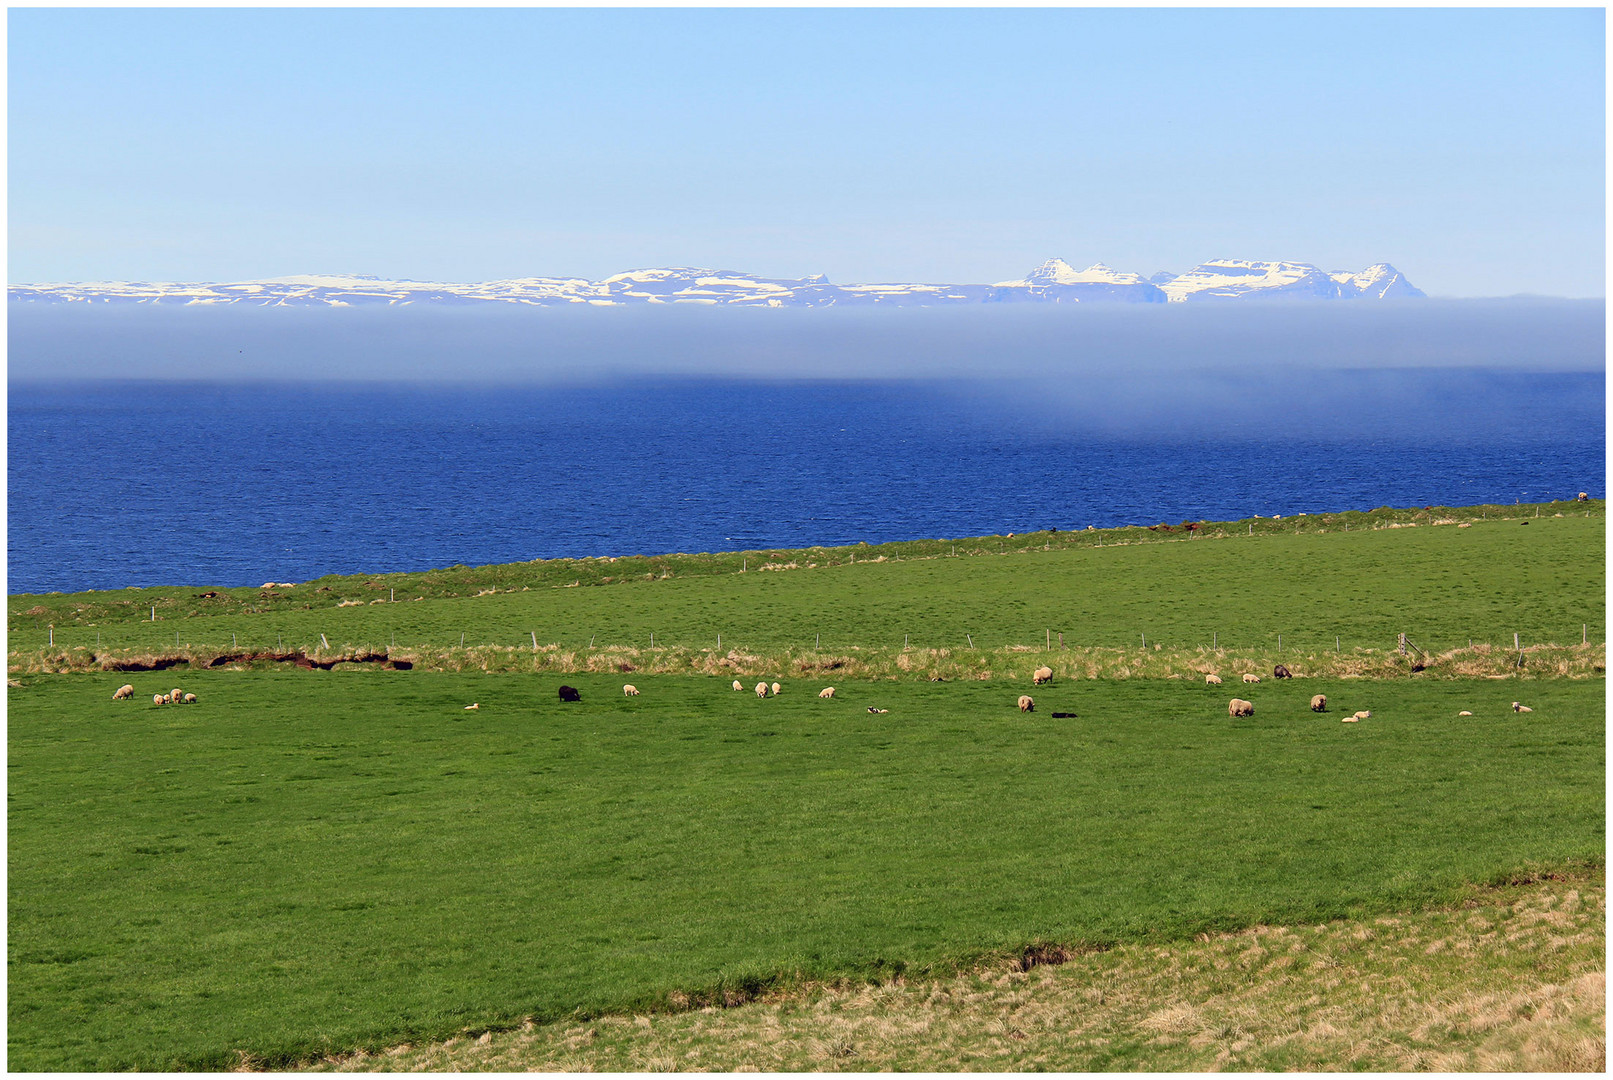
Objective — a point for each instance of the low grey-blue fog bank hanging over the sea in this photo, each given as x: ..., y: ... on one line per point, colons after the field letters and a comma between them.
x: 546, y: 346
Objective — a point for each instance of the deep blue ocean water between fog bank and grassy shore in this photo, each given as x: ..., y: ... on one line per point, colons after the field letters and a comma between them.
x: 146, y: 483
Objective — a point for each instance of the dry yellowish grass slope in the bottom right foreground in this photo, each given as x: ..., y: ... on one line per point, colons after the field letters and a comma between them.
x: 1514, y: 979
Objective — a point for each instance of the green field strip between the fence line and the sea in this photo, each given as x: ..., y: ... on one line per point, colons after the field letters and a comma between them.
x: 1440, y: 584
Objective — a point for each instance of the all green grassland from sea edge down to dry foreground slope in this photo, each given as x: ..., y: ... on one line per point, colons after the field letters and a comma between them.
x: 315, y: 862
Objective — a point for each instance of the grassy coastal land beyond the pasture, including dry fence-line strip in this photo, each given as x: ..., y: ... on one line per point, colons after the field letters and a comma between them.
x: 1328, y: 592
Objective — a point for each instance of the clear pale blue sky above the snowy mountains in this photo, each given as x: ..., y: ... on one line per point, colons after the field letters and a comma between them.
x: 967, y: 146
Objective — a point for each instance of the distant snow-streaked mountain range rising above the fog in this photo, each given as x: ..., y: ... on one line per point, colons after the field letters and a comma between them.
x: 1051, y: 283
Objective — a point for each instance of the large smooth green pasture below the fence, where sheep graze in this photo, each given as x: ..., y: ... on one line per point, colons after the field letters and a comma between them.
x: 307, y: 863
